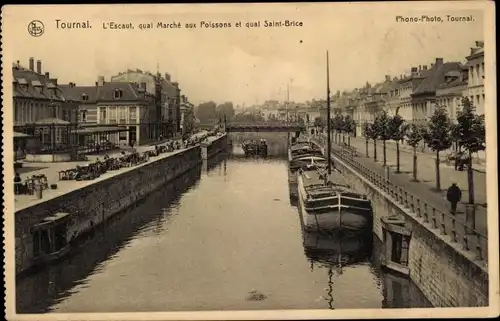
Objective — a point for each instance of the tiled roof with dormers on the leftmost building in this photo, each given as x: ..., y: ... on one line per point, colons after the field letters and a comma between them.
x: 29, y: 84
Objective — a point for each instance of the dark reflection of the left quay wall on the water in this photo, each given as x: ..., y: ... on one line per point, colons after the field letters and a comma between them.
x: 36, y: 292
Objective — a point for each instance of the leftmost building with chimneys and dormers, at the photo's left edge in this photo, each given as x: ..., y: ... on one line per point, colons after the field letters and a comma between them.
x: 43, y: 114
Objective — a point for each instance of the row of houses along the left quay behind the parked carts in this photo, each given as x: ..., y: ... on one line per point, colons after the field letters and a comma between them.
x: 136, y: 106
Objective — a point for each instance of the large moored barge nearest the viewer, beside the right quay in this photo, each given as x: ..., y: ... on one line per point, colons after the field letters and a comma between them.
x: 330, y: 204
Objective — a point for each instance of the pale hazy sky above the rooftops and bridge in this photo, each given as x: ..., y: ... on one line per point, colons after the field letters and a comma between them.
x: 240, y: 64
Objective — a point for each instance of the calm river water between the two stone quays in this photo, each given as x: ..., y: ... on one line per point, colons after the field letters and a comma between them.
x: 223, y: 237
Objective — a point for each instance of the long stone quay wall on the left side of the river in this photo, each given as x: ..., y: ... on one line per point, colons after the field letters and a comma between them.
x: 93, y: 204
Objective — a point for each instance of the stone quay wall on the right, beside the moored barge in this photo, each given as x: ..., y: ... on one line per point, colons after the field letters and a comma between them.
x: 446, y: 276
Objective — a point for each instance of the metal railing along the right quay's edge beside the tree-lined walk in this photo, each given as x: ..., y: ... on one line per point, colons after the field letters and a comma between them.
x: 460, y: 233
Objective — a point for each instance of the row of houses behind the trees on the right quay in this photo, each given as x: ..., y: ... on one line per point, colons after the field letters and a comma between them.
x: 414, y: 95
